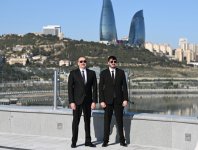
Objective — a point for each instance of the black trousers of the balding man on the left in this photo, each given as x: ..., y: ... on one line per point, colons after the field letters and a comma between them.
x: 86, y: 108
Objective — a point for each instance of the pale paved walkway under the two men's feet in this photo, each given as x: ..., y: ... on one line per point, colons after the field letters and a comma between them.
x: 29, y: 142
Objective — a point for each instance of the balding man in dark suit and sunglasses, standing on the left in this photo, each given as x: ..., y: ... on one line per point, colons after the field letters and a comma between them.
x: 82, y: 91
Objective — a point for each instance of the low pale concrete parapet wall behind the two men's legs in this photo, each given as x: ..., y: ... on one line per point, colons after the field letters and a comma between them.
x: 141, y: 129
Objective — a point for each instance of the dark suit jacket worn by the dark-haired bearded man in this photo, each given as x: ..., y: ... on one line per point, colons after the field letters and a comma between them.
x: 109, y: 90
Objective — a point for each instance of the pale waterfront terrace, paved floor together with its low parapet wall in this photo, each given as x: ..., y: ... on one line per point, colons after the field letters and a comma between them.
x: 45, y: 128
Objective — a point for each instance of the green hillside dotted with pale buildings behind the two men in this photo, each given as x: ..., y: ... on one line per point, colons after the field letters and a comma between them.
x: 36, y: 56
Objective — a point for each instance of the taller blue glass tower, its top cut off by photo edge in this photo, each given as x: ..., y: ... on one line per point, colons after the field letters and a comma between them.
x: 108, y: 31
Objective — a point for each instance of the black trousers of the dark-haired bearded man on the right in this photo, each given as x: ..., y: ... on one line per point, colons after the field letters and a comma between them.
x: 118, y: 111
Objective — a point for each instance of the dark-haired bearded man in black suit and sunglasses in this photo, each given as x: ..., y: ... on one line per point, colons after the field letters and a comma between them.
x: 113, y: 96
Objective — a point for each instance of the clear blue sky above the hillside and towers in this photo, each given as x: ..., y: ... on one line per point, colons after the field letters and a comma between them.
x: 165, y: 20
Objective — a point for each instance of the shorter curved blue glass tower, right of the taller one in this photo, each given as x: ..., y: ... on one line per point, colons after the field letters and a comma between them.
x: 137, y: 30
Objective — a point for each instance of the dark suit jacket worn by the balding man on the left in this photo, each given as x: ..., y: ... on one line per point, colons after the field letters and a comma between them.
x: 78, y: 91
